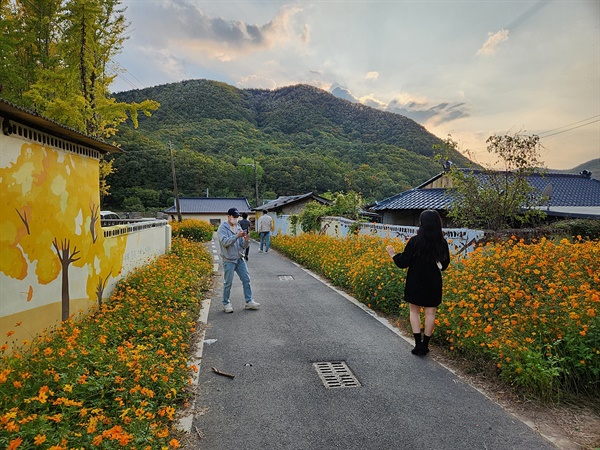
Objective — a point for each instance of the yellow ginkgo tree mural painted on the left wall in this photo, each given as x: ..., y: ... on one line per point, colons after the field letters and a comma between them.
x: 50, y: 224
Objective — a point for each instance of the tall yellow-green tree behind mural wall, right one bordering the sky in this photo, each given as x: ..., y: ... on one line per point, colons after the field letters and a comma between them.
x: 76, y: 91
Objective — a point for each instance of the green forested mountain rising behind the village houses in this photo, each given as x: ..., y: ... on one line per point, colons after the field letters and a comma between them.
x: 302, y: 138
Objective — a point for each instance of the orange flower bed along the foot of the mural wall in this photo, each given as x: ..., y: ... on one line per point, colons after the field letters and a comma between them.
x: 116, y: 378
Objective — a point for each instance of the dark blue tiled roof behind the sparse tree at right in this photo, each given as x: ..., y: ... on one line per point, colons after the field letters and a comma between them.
x: 568, y: 190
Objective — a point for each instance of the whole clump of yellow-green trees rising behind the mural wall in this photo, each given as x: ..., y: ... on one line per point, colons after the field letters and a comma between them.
x: 59, y: 61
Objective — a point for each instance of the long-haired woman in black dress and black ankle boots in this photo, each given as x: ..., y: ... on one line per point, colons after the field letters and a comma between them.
x: 425, y: 255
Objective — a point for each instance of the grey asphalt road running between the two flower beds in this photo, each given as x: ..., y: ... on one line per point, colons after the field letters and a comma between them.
x: 277, y: 399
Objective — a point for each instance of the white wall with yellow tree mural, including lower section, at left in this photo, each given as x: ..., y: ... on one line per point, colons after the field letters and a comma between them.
x: 55, y: 259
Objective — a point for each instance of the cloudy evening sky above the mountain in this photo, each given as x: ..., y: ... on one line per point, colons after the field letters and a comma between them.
x: 465, y: 69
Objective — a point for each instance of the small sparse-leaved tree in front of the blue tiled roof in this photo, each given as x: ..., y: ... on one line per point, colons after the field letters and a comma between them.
x: 497, y: 199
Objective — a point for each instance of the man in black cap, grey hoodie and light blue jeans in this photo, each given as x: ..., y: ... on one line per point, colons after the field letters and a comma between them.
x: 234, y: 241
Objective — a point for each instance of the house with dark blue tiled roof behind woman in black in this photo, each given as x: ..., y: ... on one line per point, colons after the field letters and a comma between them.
x: 559, y: 195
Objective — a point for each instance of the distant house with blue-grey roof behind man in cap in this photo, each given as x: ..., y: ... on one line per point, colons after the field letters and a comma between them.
x: 210, y: 209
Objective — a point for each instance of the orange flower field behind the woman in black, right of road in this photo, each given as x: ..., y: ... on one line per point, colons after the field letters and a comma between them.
x: 531, y: 310
